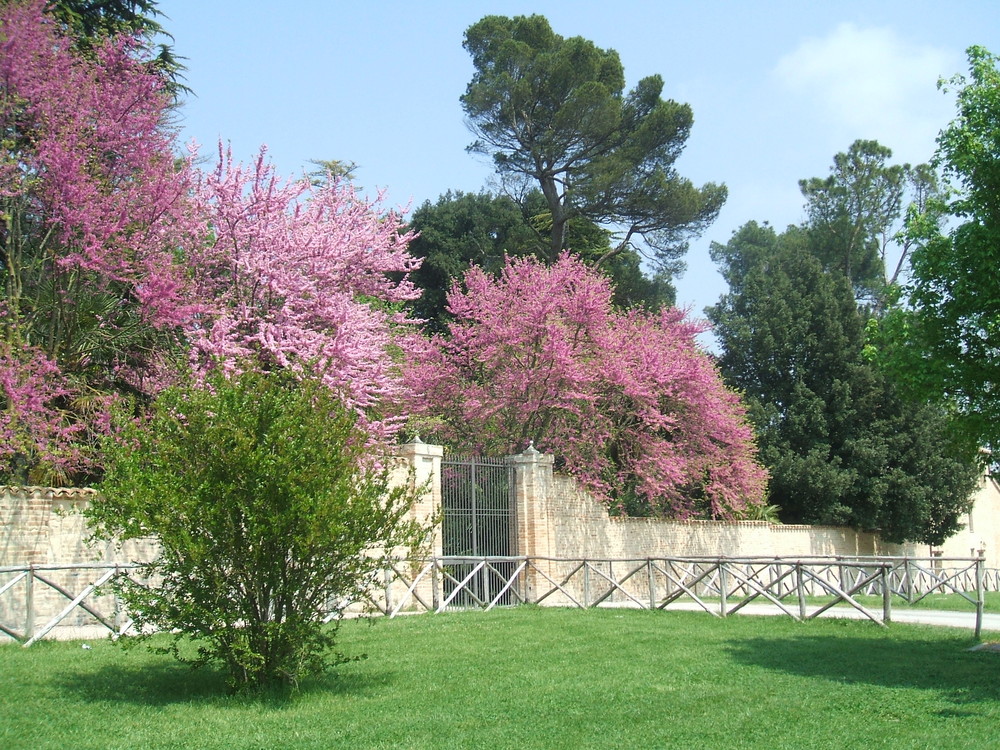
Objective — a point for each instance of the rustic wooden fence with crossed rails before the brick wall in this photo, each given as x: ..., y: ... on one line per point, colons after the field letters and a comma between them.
x: 36, y: 600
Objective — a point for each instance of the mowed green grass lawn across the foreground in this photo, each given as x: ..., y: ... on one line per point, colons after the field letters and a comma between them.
x: 535, y: 678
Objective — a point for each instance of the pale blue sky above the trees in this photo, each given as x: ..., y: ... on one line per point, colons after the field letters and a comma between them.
x: 777, y: 88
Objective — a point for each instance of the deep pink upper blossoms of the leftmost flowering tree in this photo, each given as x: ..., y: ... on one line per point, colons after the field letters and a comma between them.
x: 88, y: 156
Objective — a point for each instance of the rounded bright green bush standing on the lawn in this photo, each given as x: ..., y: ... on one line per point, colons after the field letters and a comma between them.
x: 268, y: 513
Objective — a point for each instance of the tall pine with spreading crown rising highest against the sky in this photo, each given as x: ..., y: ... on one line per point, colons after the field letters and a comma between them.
x: 552, y: 113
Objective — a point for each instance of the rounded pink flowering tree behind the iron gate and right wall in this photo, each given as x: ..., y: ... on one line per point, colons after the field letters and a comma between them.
x: 626, y: 401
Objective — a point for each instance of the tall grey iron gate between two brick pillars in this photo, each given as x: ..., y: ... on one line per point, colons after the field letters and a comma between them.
x: 478, y: 520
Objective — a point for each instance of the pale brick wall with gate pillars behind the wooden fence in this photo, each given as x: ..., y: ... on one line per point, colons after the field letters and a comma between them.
x: 555, y: 519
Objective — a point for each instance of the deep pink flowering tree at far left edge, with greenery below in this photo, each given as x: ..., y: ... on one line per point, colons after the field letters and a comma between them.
x: 92, y: 217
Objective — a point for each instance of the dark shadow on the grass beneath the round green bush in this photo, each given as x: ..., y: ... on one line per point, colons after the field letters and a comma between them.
x: 170, y: 682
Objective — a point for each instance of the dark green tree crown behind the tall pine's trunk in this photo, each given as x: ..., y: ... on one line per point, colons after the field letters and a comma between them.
x: 462, y: 230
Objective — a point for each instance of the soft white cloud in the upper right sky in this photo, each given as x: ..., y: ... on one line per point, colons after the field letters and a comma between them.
x: 870, y: 83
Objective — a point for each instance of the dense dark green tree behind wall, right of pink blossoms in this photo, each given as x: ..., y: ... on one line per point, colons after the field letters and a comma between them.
x: 841, y: 446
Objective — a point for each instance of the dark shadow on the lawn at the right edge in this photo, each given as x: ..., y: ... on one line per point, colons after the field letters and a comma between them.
x: 945, y: 667
